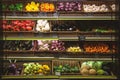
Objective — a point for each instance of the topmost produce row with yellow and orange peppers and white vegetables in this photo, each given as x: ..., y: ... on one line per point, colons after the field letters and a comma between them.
x: 34, y: 6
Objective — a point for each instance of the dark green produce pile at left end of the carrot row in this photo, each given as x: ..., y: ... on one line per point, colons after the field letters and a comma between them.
x: 17, y: 45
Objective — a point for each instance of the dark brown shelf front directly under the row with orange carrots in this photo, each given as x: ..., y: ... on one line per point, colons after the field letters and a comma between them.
x: 58, y: 54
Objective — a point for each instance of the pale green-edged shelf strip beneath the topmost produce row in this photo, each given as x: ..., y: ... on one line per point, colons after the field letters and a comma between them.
x: 61, y: 18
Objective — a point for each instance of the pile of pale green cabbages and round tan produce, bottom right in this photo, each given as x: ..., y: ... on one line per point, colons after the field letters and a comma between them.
x: 95, y: 68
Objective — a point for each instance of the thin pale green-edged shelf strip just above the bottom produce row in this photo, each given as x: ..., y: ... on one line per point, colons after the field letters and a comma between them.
x: 37, y: 58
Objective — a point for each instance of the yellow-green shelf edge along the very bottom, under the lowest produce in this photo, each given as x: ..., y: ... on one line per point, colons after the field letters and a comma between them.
x: 59, y: 77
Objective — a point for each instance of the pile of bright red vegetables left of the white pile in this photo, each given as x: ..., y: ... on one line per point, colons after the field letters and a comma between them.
x: 18, y: 25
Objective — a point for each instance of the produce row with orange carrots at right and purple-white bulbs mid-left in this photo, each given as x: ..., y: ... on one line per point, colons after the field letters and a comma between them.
x: 56, y: 45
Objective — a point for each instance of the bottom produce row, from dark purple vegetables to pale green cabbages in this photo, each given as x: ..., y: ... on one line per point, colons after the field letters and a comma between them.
x: 63, y: 67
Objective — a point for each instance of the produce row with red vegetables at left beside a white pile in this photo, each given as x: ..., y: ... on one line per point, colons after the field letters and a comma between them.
x: 44, y: 25
